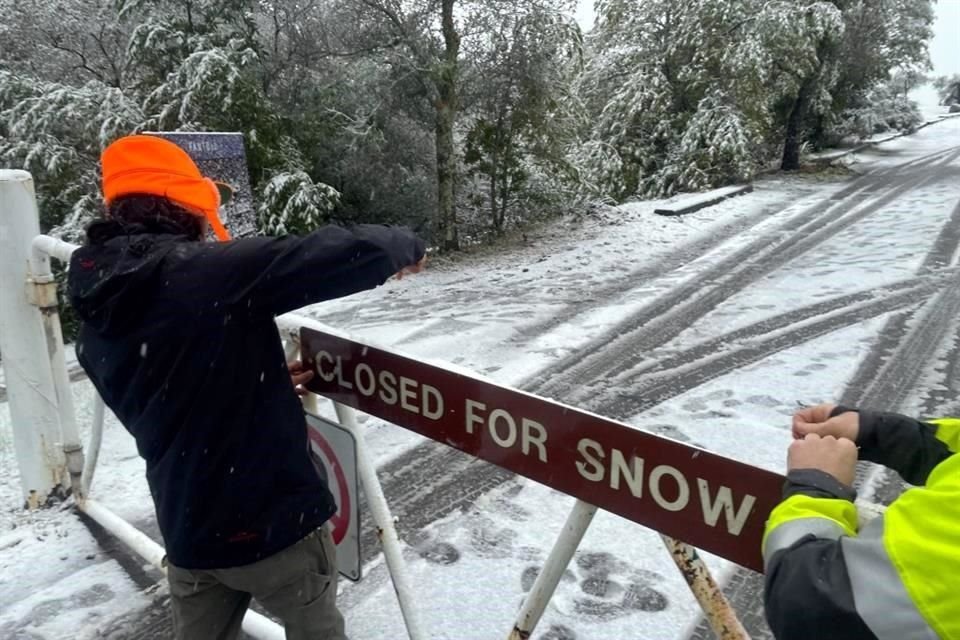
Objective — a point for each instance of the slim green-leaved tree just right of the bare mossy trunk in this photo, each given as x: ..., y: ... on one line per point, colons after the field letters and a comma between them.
x: 517, y: 98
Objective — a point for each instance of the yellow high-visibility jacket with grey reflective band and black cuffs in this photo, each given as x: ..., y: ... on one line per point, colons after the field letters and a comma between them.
x: 896, y: 578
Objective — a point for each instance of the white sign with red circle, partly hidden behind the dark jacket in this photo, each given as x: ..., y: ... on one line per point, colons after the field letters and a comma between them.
x: 335, y: 450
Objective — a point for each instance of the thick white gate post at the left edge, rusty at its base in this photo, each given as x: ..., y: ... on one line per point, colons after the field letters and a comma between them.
x: 23, y: 345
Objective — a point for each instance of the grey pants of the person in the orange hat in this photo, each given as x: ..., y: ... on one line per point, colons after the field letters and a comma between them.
x: 297, y: 585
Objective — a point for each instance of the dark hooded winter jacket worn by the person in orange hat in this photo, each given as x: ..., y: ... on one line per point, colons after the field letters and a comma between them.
x: 179, y: 339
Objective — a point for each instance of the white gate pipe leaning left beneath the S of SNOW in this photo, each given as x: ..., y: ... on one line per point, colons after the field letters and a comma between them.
x: 578, y: 521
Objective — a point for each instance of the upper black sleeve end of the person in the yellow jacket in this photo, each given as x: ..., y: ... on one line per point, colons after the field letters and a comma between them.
x: 908, y: 446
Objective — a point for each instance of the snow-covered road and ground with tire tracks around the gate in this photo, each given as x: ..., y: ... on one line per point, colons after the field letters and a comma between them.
x: 573, y: 288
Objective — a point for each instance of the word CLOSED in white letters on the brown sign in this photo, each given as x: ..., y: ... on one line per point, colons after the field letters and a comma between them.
x: 412, y: 396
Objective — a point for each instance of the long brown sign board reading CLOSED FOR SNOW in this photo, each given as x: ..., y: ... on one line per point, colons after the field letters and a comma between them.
x: 712, y: 502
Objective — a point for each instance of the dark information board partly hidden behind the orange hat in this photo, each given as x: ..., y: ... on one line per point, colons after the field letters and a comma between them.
x: 222, y: 158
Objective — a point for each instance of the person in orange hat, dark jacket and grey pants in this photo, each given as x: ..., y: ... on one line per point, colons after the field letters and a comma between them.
x: 178, y: 337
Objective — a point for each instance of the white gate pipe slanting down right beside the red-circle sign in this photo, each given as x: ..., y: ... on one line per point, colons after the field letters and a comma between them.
x: 380, y: 511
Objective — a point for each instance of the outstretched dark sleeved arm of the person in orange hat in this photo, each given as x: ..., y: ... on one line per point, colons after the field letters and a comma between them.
x: 276, y: 275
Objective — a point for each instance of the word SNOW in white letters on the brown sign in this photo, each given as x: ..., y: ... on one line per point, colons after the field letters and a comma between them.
x: 618, y: 470
